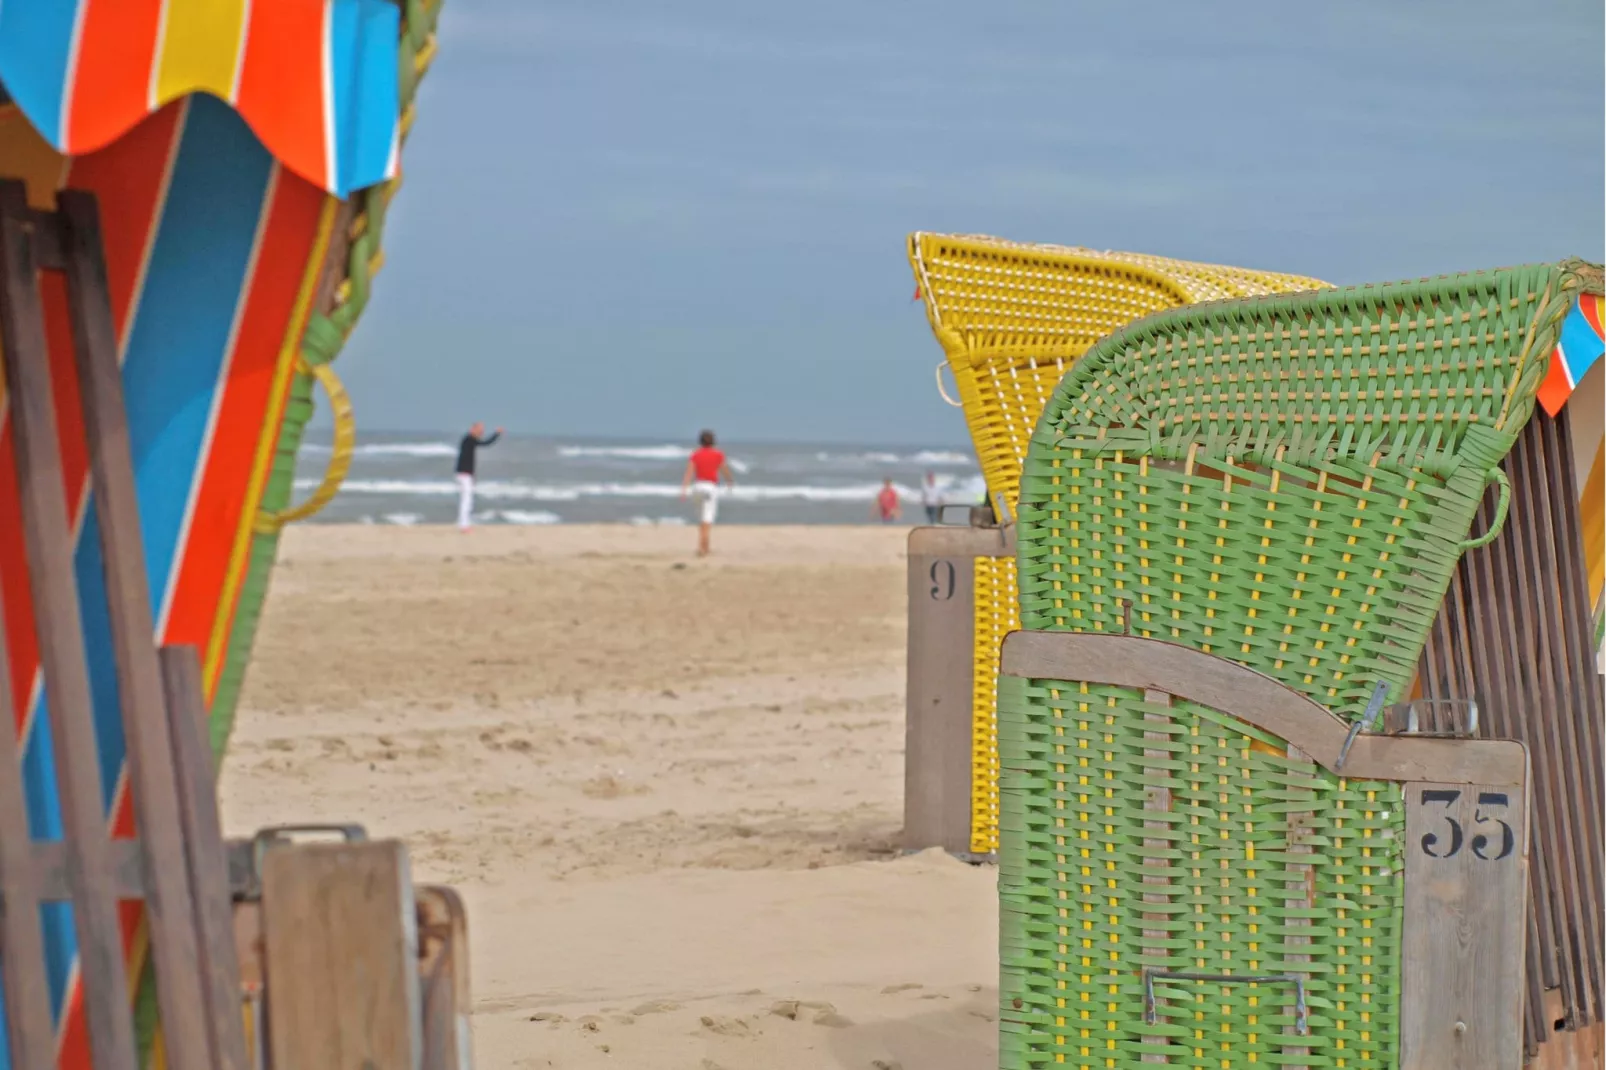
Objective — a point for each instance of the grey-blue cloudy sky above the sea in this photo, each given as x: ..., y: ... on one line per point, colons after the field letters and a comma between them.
x: 634, y: 219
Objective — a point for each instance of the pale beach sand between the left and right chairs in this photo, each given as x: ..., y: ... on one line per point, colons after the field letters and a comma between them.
x: 669, y: 790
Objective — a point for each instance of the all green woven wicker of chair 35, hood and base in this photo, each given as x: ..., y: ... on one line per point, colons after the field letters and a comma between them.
x: 1286, y: 483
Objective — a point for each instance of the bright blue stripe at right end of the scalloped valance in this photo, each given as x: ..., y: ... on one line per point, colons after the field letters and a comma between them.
x: 367, y: 94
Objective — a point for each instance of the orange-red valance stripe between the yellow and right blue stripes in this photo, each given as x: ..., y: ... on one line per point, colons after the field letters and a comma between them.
x: 282, y: 84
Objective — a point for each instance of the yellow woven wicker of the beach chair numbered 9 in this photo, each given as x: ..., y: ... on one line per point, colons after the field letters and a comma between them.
x: 1013, y: 319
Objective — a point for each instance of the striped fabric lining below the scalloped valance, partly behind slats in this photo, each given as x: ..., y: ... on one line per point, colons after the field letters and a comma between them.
x: 213, y: 253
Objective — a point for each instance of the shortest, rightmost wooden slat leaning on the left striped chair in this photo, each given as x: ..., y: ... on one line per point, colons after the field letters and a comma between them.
x: 208, y: 865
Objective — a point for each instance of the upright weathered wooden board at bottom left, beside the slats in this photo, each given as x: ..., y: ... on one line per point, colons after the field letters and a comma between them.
x: 340, y: 949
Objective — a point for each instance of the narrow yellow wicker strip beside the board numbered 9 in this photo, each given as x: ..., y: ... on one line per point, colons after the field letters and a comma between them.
x: 998, y: 615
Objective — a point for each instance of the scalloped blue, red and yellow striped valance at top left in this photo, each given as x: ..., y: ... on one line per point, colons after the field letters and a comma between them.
x: 316, y: 80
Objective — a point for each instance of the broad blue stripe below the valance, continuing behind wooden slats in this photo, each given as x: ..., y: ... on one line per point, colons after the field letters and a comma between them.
x: 174, y: 361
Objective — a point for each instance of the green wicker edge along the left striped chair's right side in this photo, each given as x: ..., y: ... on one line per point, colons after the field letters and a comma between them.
x: 322, y: 343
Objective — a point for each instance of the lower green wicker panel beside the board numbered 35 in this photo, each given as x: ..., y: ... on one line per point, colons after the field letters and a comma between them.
x: 1260, y: 865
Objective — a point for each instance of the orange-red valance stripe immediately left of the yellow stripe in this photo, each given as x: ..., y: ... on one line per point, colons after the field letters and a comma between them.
x: 112, y: 78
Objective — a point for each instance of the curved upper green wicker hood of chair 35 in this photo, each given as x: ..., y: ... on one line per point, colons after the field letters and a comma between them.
x: 1286, y: 481
